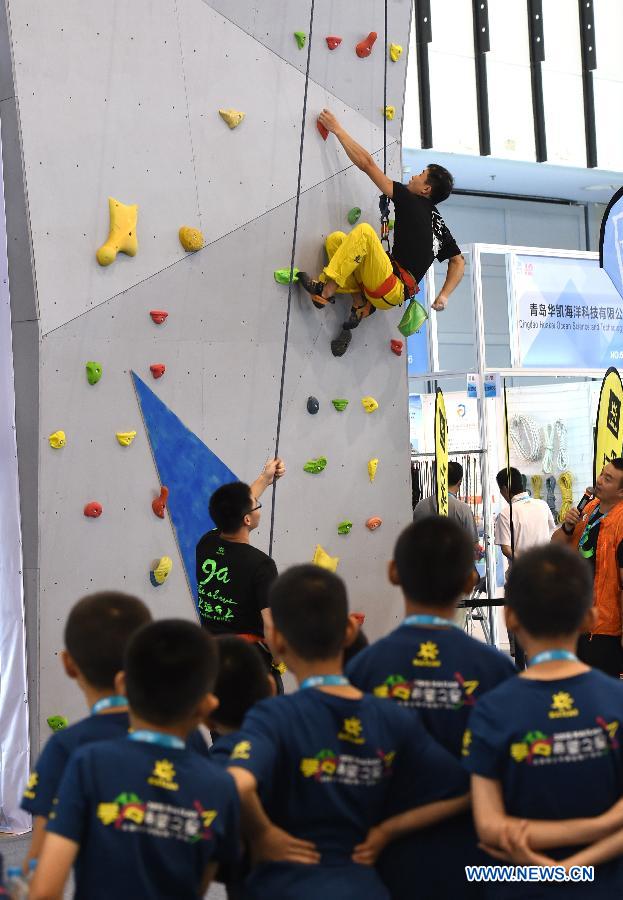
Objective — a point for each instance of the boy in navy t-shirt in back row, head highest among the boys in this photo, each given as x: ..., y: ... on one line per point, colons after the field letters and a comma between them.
x: 430, y: 666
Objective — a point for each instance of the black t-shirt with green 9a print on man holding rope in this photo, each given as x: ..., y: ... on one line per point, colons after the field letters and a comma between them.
x: 232, y: 584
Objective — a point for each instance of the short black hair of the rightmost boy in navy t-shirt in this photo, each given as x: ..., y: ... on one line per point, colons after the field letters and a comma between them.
x: 550, y: 588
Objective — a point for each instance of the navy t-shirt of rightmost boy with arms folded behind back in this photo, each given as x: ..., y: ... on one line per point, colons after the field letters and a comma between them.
x: 555, y: 747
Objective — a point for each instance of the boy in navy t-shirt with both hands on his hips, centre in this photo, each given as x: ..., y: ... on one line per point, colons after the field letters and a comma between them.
x: 340, y: 773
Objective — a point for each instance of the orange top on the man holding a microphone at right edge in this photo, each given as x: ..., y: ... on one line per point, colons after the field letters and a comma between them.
x: 607, y: 584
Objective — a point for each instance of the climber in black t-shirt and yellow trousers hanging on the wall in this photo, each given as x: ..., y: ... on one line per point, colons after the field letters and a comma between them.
x: 358, y: 264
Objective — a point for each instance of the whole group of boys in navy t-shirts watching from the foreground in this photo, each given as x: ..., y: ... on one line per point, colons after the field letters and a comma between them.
x: 426, y: 754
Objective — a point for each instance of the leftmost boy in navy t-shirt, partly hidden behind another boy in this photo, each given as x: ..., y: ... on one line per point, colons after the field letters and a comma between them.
x: 96, y: 634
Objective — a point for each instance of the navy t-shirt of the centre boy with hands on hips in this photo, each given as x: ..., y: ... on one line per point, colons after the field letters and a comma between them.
x: 329, y: 768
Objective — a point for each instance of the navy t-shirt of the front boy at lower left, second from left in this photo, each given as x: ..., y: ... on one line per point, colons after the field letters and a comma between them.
x: 148, y: 820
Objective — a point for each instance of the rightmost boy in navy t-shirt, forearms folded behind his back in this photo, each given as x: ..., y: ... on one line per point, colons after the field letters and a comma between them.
x: 545, y: 746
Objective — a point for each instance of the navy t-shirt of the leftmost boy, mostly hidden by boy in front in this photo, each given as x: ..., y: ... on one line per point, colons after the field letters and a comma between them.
x: 43, y: 783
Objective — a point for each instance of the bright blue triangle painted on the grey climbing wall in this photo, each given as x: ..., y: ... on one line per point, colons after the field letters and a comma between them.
x: 190, y: 470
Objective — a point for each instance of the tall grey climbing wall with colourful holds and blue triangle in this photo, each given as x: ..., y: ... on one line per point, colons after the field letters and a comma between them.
x: 121, y: 100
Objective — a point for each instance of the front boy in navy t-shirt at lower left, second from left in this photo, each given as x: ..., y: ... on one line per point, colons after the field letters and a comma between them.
x: 143, y: 816
